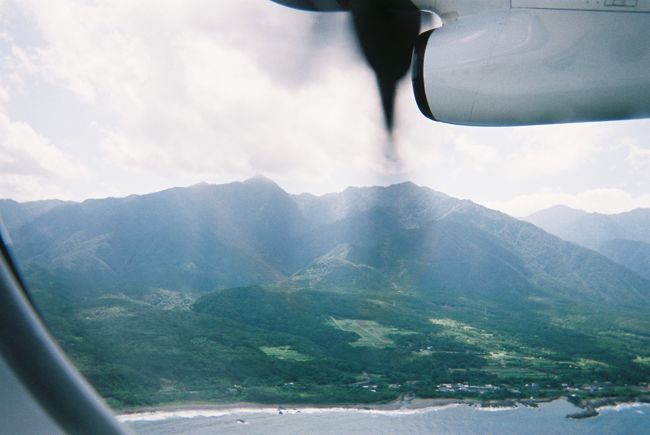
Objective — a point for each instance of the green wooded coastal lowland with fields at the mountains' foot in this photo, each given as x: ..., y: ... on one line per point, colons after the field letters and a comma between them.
x: 253, y: 344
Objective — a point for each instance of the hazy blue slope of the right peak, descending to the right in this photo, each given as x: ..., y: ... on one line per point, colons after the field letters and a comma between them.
x: 463, y: 245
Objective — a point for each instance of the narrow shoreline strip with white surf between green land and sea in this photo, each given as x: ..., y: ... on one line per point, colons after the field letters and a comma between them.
x: 587, y: 408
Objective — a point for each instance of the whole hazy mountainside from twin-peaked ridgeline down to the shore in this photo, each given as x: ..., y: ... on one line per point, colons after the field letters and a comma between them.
x: 252, y: 288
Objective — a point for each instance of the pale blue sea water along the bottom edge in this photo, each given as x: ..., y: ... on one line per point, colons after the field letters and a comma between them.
x: 549, y: 418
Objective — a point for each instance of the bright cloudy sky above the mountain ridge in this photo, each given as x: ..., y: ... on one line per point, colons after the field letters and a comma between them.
x: 113, y: 97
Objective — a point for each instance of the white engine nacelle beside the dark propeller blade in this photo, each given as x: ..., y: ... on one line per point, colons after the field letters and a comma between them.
x: 535, y: 66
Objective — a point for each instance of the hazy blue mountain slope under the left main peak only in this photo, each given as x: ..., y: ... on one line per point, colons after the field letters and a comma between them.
x: 198, y: 238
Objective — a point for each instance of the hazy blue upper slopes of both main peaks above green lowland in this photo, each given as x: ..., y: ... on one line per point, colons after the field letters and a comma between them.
x: 206, y: 237
